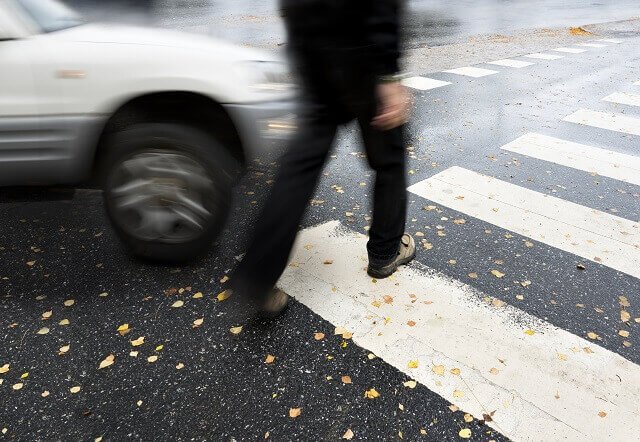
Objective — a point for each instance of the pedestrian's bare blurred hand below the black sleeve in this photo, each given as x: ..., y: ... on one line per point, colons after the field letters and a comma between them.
x: 394, y: 106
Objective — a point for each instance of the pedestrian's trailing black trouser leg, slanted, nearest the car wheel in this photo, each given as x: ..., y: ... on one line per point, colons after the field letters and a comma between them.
x: 277, y: 227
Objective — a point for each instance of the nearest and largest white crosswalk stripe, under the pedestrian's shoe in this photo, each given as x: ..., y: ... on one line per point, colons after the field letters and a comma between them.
x: 539, y: 379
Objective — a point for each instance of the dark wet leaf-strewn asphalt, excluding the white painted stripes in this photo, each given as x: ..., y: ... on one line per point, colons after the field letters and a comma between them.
x: 207, y: 384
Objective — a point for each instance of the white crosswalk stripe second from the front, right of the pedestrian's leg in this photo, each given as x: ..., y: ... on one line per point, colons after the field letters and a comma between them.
x: 589, y: 233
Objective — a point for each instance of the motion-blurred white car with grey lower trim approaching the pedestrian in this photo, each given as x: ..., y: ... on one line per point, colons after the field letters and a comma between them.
x: 161, y: 120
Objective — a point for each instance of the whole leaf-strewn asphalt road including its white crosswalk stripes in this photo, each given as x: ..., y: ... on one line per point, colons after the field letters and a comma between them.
x: 519, y: 319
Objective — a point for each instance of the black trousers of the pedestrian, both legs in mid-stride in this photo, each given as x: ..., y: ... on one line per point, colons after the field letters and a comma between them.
x: 299, y: 171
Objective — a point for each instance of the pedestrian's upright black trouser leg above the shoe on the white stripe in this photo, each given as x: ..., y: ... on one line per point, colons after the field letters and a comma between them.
x: 385, y: 152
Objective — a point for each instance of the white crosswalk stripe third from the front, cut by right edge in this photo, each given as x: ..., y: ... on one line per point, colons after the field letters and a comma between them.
x: 578, y: 156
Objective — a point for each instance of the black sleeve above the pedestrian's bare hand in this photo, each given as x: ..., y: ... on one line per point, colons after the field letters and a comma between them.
x: 383, y: 26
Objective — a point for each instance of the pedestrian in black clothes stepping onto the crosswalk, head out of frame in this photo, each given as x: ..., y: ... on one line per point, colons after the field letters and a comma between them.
x: 346, y: 53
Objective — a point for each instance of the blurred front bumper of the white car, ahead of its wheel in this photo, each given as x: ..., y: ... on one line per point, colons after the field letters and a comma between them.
x: 263, y: 126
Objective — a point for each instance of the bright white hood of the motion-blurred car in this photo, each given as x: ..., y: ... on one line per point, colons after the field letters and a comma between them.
x: 133, y: 35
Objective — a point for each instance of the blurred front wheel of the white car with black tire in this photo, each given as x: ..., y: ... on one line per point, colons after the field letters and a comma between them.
x: 167, y: 190
